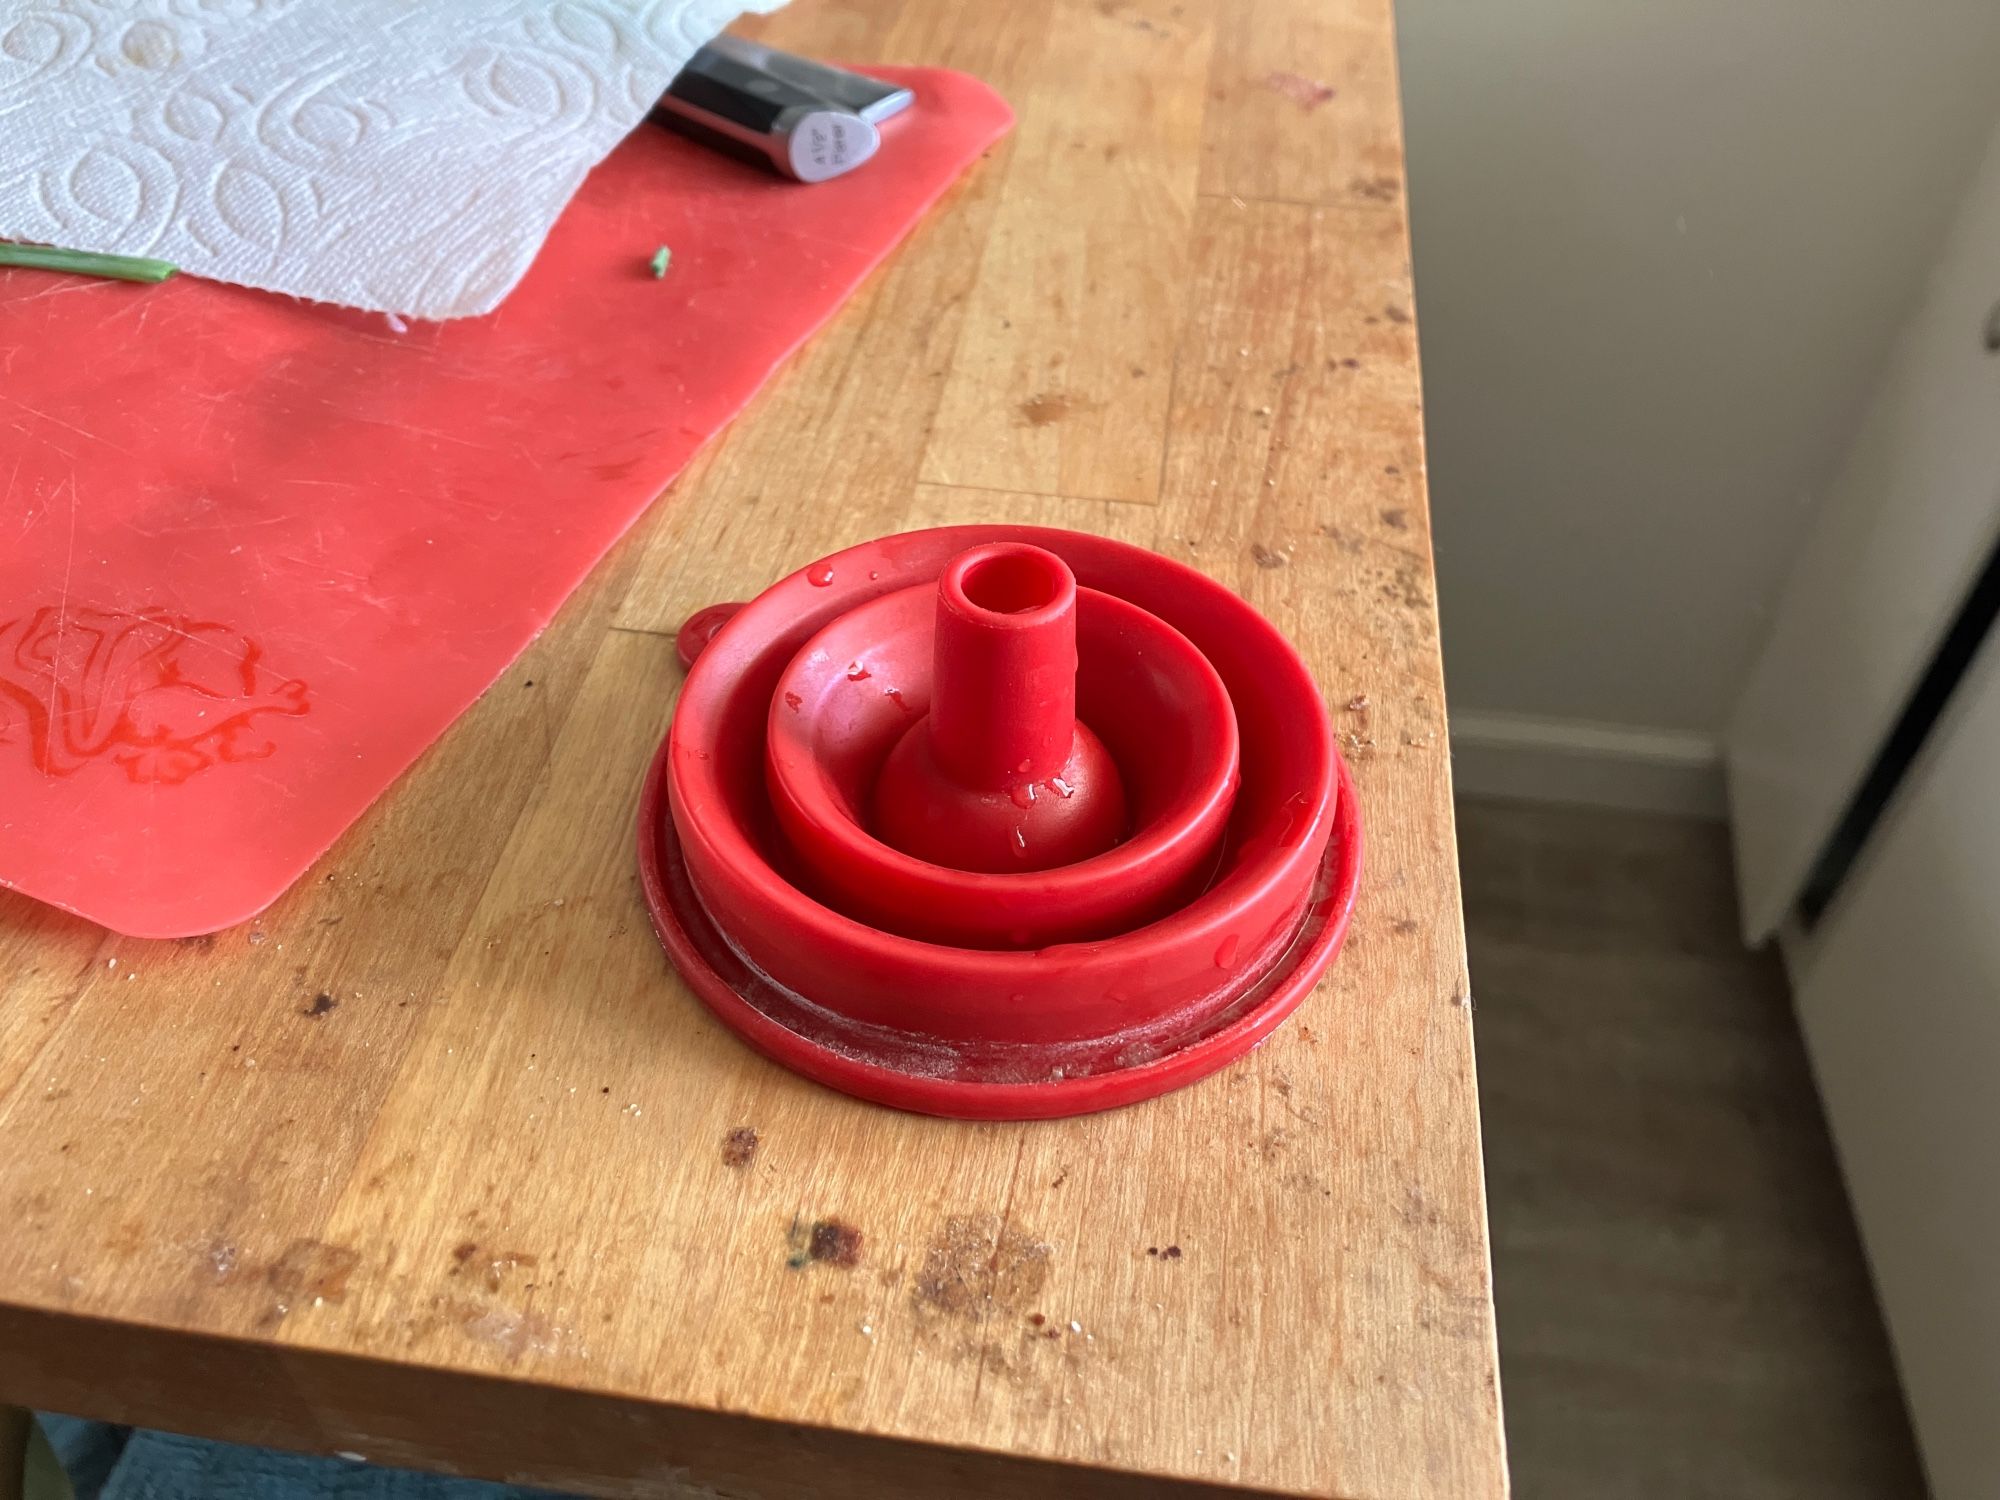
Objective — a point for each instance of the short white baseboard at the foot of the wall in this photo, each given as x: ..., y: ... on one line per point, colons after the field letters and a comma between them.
x: 1593, y: 765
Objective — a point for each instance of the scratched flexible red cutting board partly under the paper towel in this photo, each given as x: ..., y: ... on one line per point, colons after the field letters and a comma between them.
x: 257, y: 555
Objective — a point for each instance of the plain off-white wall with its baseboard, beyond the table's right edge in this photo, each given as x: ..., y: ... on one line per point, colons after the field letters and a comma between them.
x: 1661, y: 253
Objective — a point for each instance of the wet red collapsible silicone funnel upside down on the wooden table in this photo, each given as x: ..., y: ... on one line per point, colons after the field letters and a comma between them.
x: 1225, y: 901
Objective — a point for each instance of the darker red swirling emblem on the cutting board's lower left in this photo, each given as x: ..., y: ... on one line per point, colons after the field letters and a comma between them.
x: 159, y: 695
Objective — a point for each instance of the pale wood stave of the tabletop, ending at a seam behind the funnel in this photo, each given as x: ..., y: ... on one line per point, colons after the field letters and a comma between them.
x: 1081, y: 311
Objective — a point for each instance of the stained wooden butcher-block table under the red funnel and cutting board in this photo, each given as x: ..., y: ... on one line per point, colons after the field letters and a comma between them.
x: 439, y: 1163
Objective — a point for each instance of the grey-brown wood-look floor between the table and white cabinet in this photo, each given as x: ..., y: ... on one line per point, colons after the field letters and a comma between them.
x: 1683, y: 1301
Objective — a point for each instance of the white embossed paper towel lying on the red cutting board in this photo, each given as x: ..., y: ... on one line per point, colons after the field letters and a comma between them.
x: 393, y: 155
